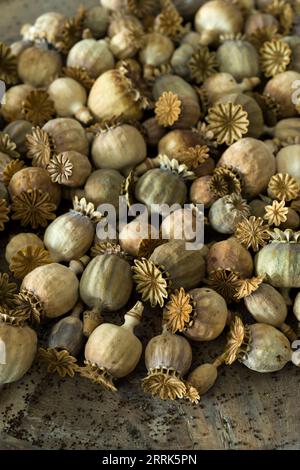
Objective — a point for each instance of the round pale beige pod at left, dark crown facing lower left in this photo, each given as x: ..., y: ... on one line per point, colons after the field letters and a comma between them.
x: 50, y: 290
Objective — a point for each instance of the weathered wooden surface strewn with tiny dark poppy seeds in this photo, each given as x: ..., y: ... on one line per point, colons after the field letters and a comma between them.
x: 245, y: 410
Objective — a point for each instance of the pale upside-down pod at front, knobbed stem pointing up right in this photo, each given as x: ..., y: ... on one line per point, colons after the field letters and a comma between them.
x: 113, y: 352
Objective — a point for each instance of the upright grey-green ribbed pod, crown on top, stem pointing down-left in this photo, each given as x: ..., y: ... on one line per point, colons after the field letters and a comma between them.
x: 100, y: 283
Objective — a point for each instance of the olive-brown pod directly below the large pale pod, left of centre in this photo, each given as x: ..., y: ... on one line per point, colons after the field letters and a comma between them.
x: 104, y: 187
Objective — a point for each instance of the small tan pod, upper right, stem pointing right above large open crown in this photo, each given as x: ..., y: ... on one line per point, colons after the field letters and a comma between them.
x: 223, y: 83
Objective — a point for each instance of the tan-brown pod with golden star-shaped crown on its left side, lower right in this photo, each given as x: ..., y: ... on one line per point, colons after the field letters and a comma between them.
x: 201, y: 314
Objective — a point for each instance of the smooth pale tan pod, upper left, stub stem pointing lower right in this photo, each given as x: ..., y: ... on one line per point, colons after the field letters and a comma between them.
x: 69, y: 98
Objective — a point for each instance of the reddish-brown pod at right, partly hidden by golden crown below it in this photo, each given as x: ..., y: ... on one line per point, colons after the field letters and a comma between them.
x: 230, y: 254
